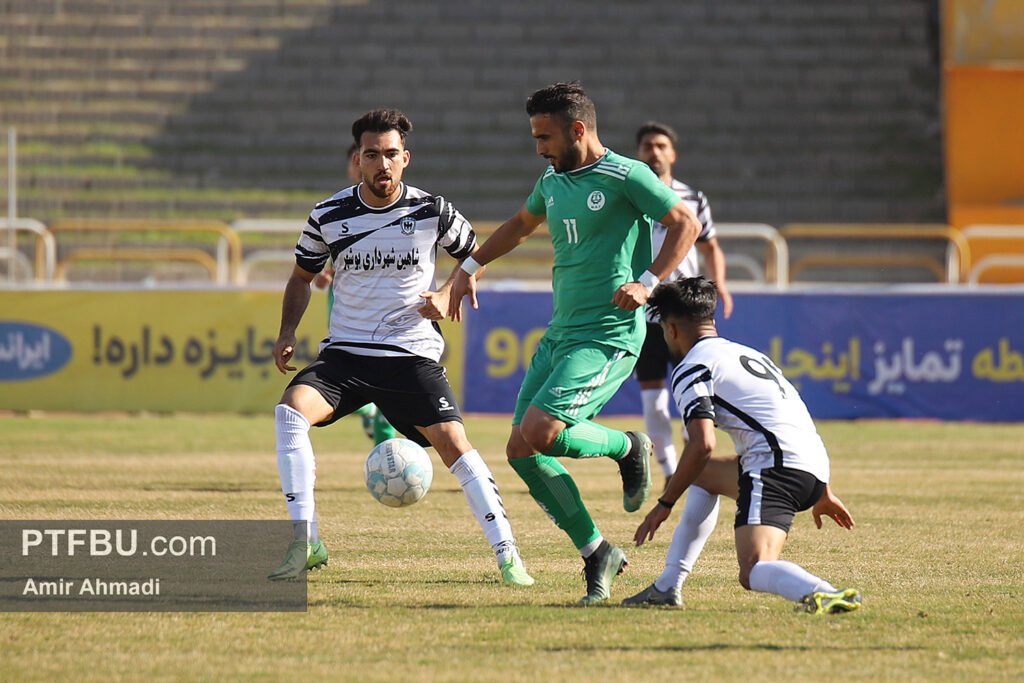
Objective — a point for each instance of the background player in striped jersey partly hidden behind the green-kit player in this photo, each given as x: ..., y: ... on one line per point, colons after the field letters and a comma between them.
x: 657, y: 148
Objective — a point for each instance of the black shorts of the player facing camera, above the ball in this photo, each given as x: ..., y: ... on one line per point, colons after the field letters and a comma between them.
x: 411, y: 392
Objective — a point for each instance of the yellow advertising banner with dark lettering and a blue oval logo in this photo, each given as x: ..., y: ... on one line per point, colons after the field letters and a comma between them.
x: 156, y: 351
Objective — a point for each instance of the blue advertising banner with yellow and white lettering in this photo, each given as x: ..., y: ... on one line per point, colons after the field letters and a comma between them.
x: 949, y: 356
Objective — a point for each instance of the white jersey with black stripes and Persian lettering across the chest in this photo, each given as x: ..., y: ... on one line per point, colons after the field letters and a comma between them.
x: 383, y: 259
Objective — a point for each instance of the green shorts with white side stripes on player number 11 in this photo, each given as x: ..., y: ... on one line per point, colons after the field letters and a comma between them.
x: 573, y: 380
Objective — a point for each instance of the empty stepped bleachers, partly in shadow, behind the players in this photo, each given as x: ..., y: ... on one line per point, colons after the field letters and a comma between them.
x: 792, y: 111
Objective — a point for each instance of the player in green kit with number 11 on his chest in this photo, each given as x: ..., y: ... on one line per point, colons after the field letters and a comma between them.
x: 600, y: 207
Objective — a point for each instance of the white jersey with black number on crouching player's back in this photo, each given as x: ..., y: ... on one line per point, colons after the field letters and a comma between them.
x: 748, y: 398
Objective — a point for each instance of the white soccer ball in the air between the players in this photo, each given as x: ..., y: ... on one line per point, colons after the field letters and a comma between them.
x: 399, y: 473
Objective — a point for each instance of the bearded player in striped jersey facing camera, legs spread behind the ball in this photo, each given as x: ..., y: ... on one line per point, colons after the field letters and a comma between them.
x: 385, y: 346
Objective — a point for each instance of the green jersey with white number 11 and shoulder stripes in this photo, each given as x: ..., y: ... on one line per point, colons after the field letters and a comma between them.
x: 601, y: 221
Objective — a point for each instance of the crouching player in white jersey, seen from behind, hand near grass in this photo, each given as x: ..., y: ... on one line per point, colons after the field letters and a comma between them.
x: 783, y: 464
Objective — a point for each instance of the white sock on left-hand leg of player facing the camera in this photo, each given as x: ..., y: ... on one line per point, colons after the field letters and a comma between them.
x: 297, y: 468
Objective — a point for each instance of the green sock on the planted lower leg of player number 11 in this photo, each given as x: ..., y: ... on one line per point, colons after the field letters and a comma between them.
x: 557, y: 493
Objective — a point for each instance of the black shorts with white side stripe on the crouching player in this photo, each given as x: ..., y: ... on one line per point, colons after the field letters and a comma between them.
x: 772, y: 497
